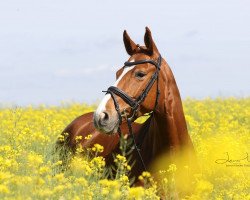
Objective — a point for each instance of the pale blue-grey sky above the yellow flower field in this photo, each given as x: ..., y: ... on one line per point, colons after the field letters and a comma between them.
x: 53, y: 51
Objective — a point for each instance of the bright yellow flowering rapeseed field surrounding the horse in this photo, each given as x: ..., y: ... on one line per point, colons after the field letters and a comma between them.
x: 29, y: 168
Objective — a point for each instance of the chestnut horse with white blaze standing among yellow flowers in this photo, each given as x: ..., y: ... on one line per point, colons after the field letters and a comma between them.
x: 145, y: 84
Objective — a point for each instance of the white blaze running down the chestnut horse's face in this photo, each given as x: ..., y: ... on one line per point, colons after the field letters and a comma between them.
x: 102, y: 105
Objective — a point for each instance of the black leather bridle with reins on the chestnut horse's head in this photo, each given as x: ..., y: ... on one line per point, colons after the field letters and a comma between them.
x: 135, y: 103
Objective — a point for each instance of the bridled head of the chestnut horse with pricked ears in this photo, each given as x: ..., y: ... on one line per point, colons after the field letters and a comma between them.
x: 136, y: 89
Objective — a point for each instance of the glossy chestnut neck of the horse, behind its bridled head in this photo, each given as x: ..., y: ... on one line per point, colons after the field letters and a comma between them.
x: 168, y: 129
